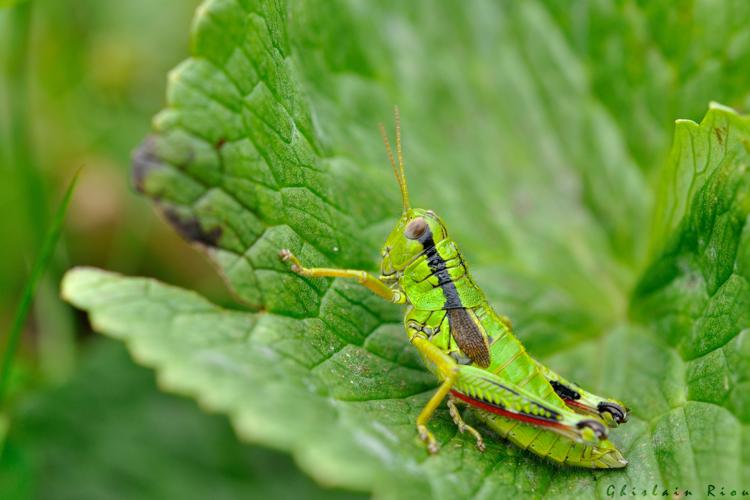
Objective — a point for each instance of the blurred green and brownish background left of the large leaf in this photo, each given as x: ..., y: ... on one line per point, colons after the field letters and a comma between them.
x: 79, y: 83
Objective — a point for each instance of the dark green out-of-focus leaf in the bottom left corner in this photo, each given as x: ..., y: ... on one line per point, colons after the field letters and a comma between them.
x: 109, y: 434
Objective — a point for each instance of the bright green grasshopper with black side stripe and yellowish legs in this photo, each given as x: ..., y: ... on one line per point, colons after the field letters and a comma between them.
x: 472, y: 350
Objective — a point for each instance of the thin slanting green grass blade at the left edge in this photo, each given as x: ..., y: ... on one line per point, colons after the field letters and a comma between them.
x: 37, y: 272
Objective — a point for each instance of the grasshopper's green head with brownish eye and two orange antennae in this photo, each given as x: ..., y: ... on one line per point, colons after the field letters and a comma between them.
x: 417, y: 228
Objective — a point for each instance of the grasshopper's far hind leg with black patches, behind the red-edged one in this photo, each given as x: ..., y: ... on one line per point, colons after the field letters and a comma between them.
x: 611, y: 411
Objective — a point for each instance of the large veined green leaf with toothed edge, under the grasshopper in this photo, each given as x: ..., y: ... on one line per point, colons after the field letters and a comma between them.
x: 536, y: 148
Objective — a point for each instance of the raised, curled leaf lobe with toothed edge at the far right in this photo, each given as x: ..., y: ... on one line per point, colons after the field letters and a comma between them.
x: 696, y: 292
